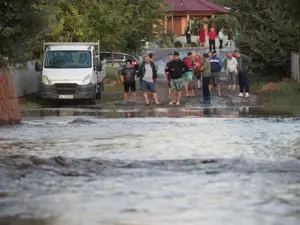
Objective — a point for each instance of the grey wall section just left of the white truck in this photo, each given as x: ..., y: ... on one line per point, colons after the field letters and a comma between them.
x: 26, y: 80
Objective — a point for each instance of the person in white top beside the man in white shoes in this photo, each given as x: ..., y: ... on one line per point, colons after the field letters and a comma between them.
x: 230, y: 66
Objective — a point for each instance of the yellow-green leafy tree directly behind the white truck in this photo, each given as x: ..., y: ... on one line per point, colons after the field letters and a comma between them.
x: 118, y: 24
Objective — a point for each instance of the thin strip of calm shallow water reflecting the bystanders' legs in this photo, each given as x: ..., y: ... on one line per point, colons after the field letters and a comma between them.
x: 159, y: 112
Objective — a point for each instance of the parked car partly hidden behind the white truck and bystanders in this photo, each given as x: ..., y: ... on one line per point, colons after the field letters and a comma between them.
x: 120, y: 59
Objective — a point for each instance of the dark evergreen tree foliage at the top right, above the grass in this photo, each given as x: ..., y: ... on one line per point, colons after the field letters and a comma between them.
x: 269, y: 31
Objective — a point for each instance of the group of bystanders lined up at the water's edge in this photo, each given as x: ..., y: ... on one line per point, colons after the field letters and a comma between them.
x: 188, y: 74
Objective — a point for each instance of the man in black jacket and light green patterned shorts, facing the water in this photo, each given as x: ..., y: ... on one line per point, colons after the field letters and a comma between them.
x: 176, y: 68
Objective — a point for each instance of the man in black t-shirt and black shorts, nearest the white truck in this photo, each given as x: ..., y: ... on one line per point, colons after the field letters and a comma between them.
x: 128, y: 78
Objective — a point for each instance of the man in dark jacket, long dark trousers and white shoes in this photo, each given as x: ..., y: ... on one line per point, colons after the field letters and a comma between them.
x: 244, y: 63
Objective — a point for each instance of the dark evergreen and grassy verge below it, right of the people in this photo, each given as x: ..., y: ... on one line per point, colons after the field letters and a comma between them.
x: 269, y: 32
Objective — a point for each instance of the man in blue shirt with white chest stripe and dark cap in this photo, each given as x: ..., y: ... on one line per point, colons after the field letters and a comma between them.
x: 216, y: 67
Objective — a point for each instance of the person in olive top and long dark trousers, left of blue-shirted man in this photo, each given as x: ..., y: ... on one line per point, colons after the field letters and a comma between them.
x: 205, y: 73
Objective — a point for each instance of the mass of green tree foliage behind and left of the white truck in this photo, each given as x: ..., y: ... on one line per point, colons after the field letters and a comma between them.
x: 119, y: 24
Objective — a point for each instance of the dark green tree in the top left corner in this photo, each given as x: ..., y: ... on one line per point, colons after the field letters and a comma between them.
x: 23, y: 24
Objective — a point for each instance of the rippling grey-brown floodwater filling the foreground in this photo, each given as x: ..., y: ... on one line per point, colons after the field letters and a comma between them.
x: 195, y: 170
